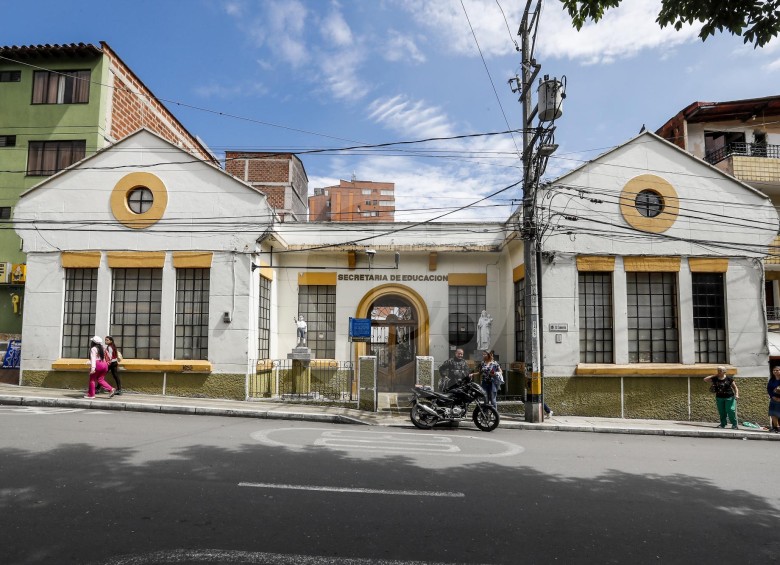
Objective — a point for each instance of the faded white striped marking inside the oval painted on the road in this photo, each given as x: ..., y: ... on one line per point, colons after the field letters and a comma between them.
x: 392, y: 442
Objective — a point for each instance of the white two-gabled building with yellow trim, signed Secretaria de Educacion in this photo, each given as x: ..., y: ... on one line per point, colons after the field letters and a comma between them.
x: 651, y: 277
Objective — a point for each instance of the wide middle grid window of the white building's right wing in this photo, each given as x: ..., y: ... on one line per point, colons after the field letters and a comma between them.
x: 652, y: 318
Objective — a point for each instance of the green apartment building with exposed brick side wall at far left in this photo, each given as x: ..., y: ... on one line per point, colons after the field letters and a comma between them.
x: 58, y: 105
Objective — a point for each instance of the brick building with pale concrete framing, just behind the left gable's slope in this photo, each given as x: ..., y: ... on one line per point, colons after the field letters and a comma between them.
x: 280, y: 176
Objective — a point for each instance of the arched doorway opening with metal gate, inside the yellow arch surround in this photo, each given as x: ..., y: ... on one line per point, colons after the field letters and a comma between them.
x: 394, y: 325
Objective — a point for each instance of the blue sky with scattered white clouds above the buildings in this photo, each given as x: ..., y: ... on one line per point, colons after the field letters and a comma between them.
x: 297, y: 75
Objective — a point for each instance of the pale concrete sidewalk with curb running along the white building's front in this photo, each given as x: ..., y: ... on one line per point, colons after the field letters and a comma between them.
x: 14, y: 395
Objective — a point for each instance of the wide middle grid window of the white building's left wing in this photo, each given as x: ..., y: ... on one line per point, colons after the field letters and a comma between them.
x: 136, y: 298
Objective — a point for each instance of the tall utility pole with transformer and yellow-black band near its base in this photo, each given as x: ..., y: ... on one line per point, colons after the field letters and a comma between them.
x: 537, y: 147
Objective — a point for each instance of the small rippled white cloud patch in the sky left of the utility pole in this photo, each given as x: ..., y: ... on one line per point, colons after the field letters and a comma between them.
x: 410, y: 118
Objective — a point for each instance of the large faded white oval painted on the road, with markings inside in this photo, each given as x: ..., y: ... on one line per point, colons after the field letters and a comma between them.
x: 418, y: 443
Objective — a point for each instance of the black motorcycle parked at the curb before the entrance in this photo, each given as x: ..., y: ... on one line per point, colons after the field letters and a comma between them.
x: 430, y: 407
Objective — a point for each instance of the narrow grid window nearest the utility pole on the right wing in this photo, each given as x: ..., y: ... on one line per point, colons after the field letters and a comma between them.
x: 595, y: 297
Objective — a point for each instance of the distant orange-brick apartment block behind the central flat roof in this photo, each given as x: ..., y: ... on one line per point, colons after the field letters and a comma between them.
x: 353, y: 201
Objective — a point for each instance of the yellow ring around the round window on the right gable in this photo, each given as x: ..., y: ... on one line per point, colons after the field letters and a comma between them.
x: 670, y: 202
